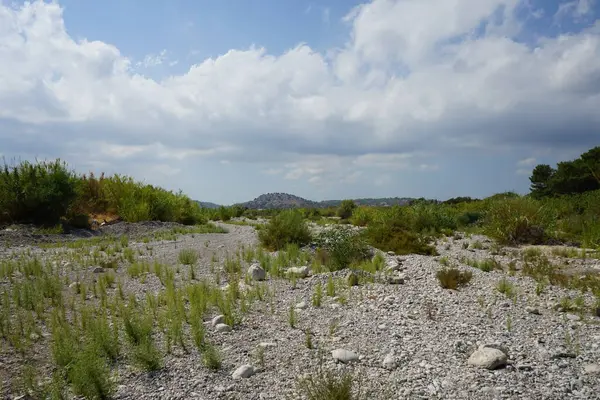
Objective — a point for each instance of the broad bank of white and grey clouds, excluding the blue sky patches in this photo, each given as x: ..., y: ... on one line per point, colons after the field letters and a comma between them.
x: 415, y: 78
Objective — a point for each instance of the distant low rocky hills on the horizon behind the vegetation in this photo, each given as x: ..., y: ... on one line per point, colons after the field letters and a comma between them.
x: 285, y: 200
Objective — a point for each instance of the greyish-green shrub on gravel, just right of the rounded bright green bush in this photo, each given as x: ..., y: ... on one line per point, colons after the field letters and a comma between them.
x: 343, y: 247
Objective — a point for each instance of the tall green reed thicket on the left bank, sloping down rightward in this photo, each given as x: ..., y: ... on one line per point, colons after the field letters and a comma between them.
x: 47, y: 193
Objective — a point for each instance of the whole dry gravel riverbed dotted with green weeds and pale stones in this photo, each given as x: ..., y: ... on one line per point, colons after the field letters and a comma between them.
x: 398, y: 333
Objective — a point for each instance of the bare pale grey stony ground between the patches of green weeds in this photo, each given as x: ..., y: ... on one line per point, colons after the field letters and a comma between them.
x: 408, y: 339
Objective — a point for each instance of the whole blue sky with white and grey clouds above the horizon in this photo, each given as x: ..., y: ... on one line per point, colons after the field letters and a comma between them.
x: 229, y: 99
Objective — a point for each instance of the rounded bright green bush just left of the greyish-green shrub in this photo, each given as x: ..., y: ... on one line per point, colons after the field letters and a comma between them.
x: 288, y: 227
